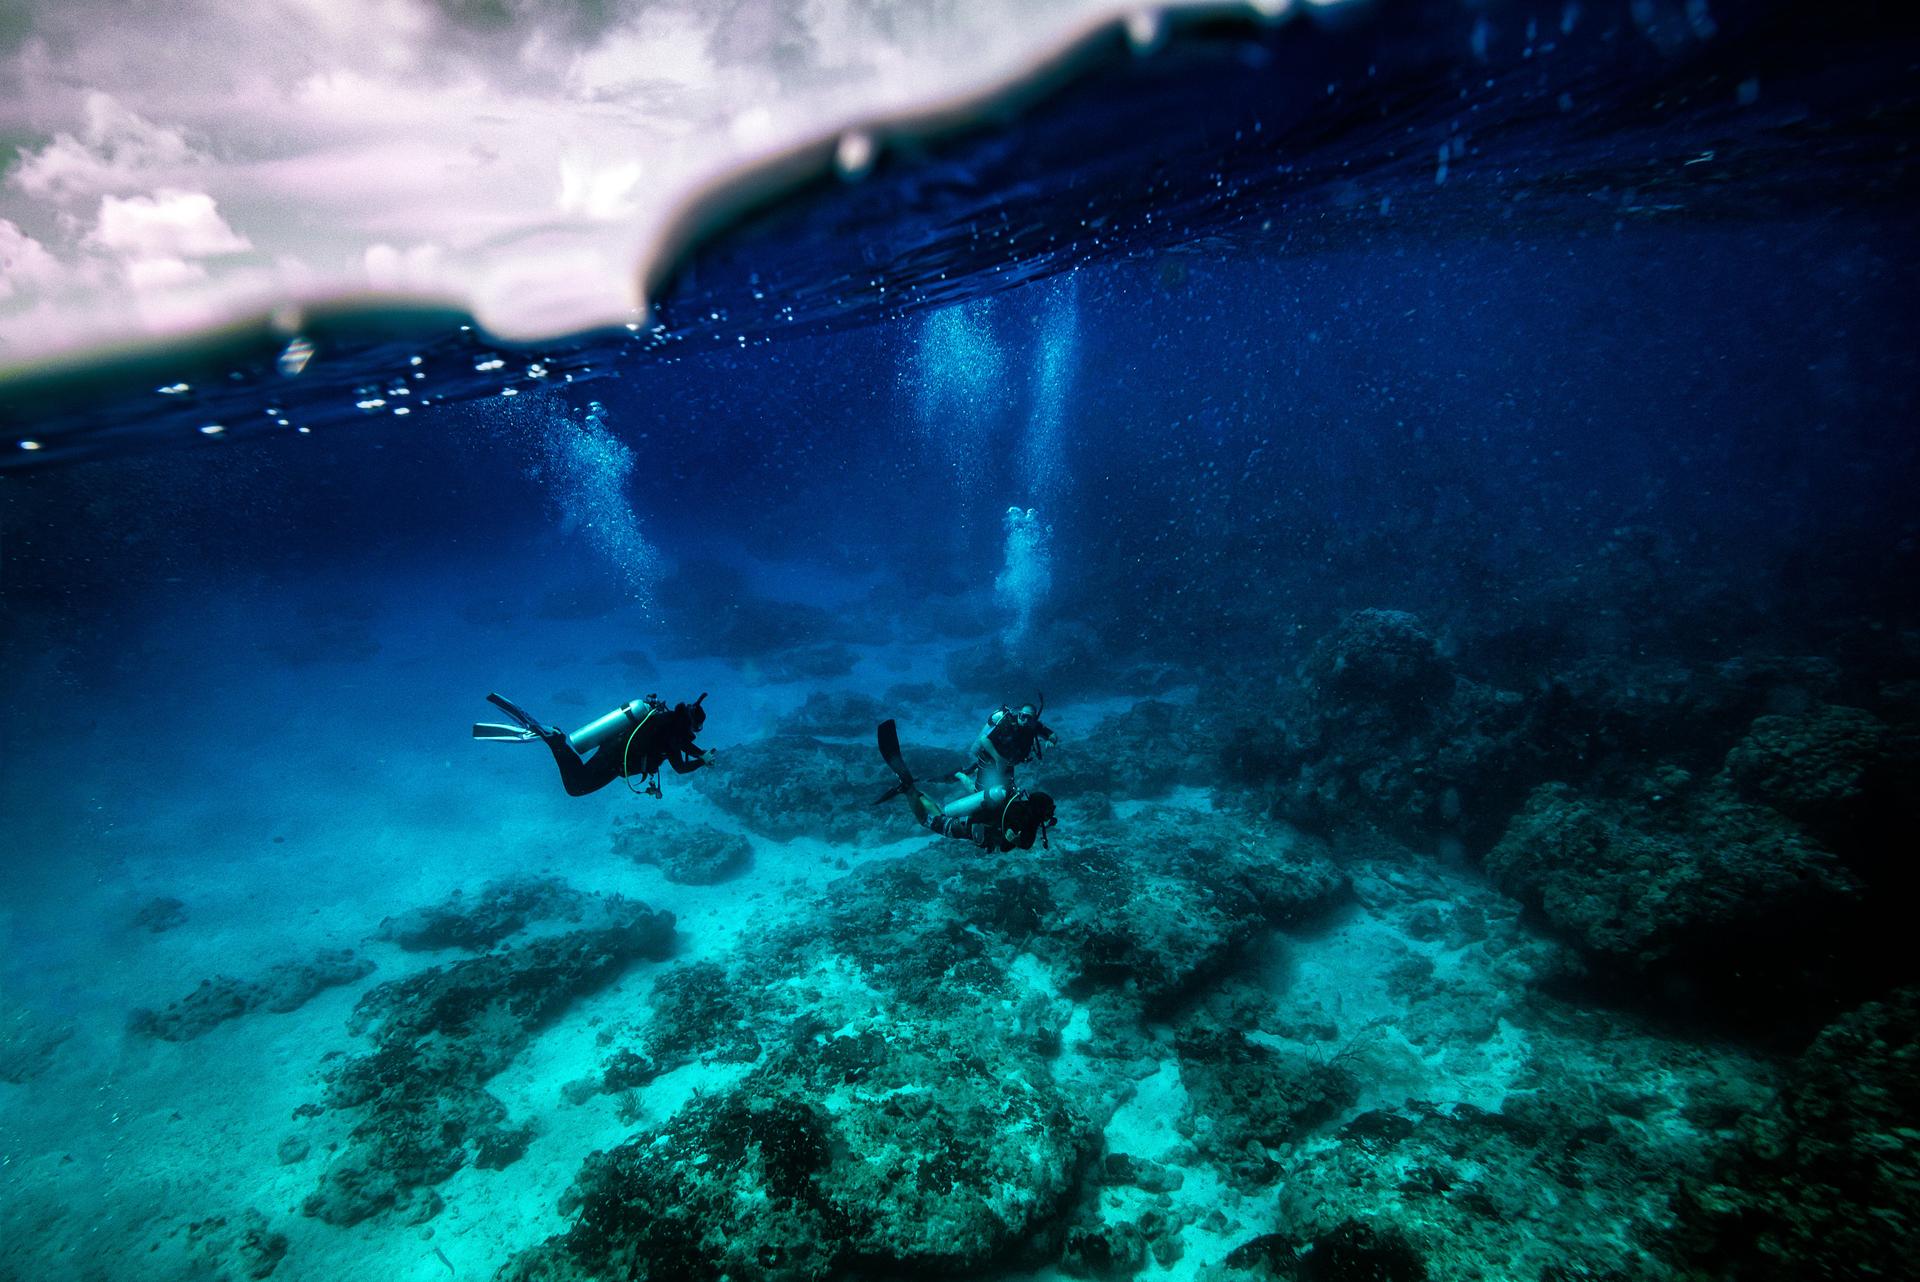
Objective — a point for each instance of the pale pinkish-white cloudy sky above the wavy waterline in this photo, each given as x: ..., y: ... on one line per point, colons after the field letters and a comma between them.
x: 166, y: 166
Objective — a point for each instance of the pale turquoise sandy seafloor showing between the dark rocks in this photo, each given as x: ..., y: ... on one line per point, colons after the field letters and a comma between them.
x: 297, y: 805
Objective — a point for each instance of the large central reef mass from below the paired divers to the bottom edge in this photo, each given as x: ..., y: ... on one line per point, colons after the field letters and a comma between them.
x: 901, y: 1108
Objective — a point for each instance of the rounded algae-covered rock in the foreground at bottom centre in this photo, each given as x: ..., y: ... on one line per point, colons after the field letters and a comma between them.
x: 913, y: 1152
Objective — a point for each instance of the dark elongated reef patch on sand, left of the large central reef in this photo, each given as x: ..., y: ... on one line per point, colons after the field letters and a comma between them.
x: 439, y: 1039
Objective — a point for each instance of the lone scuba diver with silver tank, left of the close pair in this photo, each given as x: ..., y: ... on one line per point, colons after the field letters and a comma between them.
x: 633, y: 742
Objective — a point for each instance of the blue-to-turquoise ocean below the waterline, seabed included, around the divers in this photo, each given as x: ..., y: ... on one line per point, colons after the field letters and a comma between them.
x: 1445, y: 473
